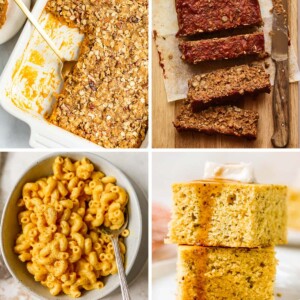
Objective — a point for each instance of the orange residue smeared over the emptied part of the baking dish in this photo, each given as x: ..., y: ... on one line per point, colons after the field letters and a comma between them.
x: 35, y: 76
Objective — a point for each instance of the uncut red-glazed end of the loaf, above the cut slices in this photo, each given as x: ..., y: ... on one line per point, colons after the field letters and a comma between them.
x: 198, y: 16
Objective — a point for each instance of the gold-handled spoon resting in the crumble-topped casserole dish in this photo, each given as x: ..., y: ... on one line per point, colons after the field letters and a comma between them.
x: 66, y: 65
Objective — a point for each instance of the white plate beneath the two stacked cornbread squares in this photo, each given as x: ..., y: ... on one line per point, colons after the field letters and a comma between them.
x: 287, y: 279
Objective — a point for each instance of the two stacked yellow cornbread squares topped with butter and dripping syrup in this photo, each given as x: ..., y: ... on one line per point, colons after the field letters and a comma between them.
x: 226, y: 228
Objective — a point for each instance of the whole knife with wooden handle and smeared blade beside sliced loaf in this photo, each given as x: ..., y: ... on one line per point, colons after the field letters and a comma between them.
x: 281, y: 97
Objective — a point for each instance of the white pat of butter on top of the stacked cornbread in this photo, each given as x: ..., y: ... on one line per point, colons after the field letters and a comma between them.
x: 242, y: 172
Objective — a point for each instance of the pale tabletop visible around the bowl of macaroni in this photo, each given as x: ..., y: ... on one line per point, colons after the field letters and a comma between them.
x: 134, y: 165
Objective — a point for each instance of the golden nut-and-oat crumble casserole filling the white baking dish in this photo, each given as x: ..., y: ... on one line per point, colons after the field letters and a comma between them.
x: 105, y: 97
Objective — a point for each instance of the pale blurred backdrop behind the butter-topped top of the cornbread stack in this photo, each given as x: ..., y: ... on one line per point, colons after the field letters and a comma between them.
x: 169, y: 168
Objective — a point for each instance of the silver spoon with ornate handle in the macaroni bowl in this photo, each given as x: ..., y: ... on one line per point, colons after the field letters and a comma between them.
x: 114, y: 235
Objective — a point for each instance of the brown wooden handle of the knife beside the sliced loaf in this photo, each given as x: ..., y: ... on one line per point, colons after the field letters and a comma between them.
x: 281, y: 103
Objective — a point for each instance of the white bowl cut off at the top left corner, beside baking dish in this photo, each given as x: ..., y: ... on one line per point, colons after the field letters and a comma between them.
x: 15, y: 19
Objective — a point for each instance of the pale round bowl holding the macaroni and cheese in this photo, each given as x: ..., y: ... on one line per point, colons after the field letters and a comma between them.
x: 10, y: 227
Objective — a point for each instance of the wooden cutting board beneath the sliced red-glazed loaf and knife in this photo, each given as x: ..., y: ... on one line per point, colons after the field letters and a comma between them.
x: 164, y: 134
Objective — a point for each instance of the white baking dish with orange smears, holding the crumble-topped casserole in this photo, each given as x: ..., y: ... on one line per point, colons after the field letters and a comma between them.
x: 14, y: 87
